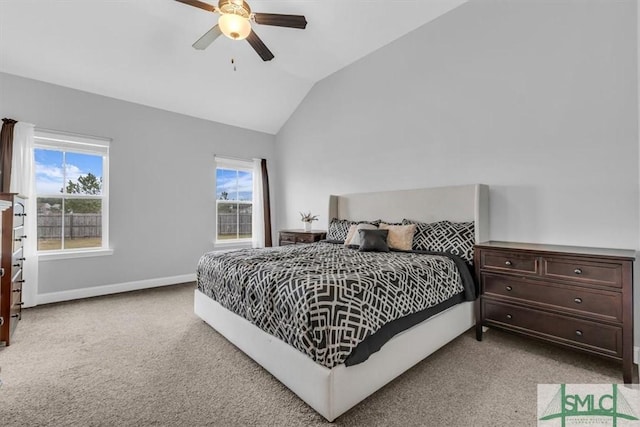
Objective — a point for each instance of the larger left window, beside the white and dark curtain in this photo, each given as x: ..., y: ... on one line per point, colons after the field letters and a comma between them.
x: 71, y: 177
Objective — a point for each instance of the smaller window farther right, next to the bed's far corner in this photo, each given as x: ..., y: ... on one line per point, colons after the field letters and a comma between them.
x: 234, y: 200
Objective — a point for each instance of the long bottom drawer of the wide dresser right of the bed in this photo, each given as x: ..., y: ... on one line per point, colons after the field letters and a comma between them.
x: 555, y: 327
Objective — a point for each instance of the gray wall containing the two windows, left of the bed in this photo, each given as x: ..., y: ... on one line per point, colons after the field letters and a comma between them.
x: 162, y: 198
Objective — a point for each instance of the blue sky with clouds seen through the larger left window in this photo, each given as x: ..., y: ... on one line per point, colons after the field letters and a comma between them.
x: 52, y: 169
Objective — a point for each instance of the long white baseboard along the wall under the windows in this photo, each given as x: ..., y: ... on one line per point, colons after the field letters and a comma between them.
x: 96, y: 291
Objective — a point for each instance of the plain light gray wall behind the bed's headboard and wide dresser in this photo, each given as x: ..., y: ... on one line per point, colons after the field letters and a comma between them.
x: 537, y: 99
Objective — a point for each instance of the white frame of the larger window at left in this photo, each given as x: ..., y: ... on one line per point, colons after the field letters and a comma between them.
x: 81, y: 144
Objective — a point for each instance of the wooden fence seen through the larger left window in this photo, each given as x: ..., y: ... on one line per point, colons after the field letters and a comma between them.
x: 75, y: 226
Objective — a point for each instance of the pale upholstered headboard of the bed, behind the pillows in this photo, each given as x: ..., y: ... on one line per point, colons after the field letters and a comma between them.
x: 459, y: 203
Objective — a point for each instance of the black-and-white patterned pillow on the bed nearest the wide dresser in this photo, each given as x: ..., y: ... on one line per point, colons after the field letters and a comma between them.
x: 445, y: 236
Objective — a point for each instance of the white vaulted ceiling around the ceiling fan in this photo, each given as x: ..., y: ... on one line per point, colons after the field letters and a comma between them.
x: 140, y: 51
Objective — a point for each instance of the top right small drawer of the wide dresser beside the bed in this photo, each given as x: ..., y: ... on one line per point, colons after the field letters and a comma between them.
x: 582, y: 271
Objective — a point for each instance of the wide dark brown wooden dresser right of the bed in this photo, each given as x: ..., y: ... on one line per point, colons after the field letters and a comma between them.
x: 581, y: 298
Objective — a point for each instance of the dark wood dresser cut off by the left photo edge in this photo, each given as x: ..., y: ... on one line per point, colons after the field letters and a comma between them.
x: 11, y: 262
